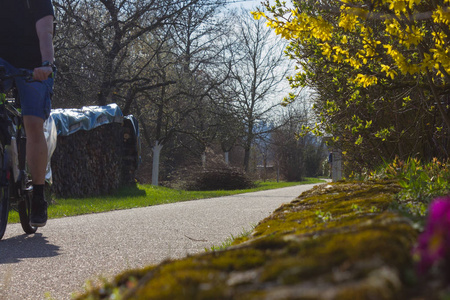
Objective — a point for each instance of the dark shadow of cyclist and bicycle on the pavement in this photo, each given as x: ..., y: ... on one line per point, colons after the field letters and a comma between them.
x: 14, y: 249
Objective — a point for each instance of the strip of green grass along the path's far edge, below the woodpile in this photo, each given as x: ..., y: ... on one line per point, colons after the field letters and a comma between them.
x: 141, y: 196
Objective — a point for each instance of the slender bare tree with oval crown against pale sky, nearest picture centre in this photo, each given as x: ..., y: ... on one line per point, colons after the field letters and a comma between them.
x: 257, y: 76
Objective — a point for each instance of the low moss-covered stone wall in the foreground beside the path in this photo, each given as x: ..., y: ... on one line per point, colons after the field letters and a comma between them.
x: 337, y: 241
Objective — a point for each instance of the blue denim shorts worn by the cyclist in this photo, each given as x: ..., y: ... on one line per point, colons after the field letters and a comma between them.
x: 35, y: 97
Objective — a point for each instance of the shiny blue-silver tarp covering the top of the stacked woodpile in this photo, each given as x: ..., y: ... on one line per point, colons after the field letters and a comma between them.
x: 71, y: 120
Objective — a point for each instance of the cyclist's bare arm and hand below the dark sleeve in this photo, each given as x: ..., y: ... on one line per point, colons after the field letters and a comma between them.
x: 44, y: 29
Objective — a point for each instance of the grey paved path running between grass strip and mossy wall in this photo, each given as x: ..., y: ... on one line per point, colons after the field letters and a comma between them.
x: 62, y: 256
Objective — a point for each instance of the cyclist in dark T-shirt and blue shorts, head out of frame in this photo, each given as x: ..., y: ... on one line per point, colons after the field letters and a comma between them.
x: 26, y: 32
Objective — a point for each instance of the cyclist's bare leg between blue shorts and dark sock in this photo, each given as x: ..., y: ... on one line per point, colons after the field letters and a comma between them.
x: 36, y: 148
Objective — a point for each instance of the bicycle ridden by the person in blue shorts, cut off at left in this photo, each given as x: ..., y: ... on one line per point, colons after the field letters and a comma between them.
x: 16, y: 188
